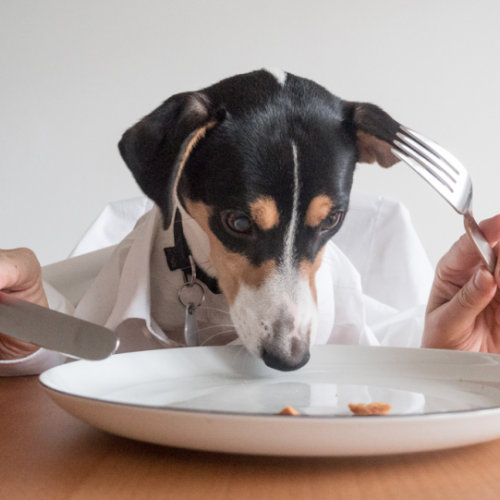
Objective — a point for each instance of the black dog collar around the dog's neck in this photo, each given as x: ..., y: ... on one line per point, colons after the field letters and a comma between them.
x: 178, y: 256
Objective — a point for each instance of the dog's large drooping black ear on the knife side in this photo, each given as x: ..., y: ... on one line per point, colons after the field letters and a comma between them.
x: 157, y: 148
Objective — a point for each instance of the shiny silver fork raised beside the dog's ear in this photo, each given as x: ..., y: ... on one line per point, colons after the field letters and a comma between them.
x: 448, y: 177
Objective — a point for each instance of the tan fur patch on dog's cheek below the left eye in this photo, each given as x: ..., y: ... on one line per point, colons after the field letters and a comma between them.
x: 233, y: 269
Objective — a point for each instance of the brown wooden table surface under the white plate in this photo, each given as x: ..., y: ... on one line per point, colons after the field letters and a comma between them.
x: 47, y: 454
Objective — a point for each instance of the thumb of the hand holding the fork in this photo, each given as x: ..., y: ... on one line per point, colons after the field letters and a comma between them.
x: 472, y: 298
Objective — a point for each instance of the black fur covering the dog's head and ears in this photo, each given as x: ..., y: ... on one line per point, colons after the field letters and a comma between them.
x: 248, y: 154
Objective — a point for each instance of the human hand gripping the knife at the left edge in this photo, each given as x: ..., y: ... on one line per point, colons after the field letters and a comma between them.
x: 20, y: 276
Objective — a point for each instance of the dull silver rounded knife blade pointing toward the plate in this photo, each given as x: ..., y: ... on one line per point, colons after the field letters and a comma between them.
x: 54, y: 330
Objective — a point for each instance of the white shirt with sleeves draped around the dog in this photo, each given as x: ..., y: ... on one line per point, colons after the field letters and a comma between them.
x: 372, y: 286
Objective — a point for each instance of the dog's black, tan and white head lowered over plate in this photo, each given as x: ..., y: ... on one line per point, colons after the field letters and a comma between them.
x: 264, y: 163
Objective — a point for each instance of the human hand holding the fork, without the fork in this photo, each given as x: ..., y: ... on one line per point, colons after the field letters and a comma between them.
x: 463, y: 312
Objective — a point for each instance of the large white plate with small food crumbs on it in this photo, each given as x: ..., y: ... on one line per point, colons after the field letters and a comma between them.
x: 223, y: 399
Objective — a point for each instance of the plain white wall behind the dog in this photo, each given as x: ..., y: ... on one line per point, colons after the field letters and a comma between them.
x: 75, y: 74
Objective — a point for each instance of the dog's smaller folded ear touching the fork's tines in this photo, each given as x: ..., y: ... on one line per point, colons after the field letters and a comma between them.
x: 375, y: 130
